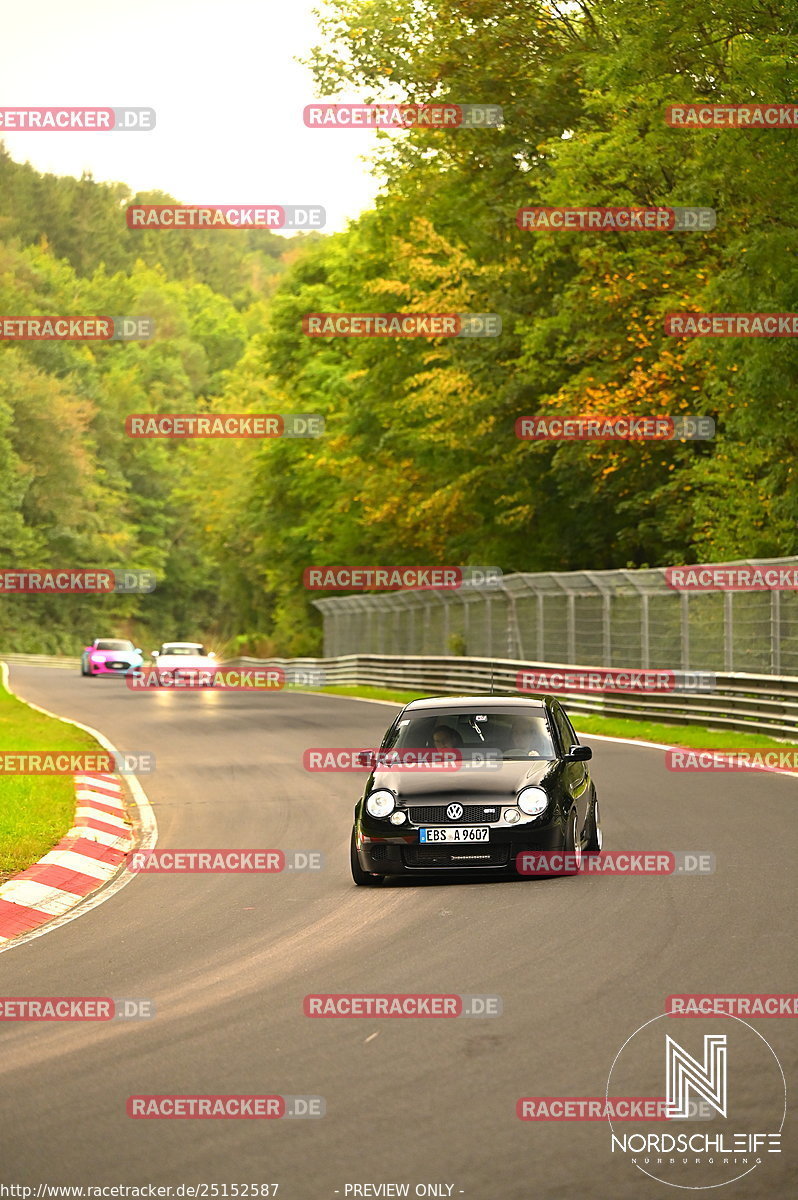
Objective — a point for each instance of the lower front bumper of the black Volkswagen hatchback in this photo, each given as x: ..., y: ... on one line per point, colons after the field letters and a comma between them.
x: 400, y: 854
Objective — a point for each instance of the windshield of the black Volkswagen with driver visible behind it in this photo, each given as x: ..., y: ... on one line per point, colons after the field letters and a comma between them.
x: 514, y: 733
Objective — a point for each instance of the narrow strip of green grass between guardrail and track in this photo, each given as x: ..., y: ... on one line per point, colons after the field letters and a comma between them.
x: 614, y: 727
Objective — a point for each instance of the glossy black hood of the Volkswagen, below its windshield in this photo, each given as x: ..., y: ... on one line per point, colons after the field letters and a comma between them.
x: 418, y: 783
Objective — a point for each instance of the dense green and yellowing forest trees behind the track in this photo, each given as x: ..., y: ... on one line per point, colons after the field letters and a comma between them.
x: 421, y: 464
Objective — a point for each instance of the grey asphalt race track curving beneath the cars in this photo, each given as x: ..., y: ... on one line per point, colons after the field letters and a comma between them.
x: 227, y: 959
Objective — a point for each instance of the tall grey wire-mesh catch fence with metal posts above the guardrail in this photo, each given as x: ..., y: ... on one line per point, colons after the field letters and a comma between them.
x: 621, y: 619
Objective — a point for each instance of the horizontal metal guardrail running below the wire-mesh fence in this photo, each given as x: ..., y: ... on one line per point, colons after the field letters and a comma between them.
x: 752, y: 704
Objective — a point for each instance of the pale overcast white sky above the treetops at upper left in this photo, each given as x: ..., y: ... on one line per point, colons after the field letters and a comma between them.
x: 227, y: 93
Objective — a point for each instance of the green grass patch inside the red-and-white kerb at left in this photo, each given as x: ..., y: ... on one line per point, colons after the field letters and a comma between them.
x: 35, y: 811
